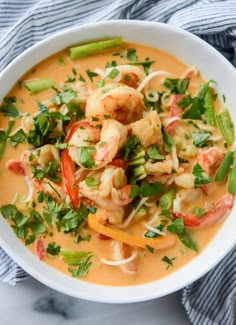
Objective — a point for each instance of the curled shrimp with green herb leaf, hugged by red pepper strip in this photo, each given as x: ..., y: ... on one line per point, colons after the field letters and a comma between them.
x: 97, y: 148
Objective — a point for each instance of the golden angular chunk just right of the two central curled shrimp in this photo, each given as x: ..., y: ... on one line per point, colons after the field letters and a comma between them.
x: 148, y: 129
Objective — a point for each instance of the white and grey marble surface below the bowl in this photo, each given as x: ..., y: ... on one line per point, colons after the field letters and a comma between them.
x: 31, y: 303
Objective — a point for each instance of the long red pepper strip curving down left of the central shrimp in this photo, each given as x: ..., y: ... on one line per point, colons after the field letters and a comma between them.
x: 68, y: 166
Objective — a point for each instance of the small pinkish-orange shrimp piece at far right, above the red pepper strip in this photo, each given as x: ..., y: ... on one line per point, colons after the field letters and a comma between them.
x: 209, y: 159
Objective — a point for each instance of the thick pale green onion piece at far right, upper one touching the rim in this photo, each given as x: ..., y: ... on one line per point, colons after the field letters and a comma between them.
x: 226, y: 126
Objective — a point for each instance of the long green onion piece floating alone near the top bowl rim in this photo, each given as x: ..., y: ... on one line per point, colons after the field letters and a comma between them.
x: 82, y: 51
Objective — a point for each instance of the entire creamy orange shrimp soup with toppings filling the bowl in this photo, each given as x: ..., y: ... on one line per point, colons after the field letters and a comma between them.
x: 114, y: 166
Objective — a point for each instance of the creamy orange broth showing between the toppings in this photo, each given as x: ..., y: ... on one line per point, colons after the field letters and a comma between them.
x: 150, y: 266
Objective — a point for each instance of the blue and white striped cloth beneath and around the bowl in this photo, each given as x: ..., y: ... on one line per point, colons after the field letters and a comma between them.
x: 212, y: 299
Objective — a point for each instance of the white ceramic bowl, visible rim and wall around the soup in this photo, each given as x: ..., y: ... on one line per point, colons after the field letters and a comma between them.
x: 191, y: 50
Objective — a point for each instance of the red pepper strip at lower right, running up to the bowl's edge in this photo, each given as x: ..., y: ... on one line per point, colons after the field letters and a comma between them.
x: 216, y: 212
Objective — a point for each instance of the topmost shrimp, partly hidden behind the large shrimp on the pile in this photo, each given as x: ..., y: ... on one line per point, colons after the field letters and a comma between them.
x: 130, y: 75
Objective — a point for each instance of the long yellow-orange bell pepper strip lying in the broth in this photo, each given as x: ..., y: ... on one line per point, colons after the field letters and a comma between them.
x: 132, y: 240
